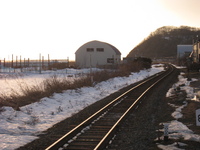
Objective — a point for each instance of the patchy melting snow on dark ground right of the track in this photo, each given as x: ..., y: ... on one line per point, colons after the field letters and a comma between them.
x: 176, y: 128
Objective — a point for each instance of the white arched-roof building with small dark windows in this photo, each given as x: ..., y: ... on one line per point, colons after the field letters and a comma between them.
x: 96, y: 53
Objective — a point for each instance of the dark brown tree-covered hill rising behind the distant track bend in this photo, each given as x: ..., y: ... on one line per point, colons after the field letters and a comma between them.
x: 163, y: 42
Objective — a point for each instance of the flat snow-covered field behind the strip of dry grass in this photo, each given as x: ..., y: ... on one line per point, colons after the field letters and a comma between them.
x: 14, y: 82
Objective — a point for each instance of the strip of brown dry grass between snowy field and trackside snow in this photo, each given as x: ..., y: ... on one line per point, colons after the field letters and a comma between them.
x: 57, y: 85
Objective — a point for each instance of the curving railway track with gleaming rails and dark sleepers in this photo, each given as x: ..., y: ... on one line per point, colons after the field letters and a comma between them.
x: 97, y: 130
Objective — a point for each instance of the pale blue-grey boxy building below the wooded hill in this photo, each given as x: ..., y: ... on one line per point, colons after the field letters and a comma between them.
x: 184, y: 51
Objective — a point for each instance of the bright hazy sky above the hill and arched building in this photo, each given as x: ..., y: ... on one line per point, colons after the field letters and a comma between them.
x: 60, y: 27
